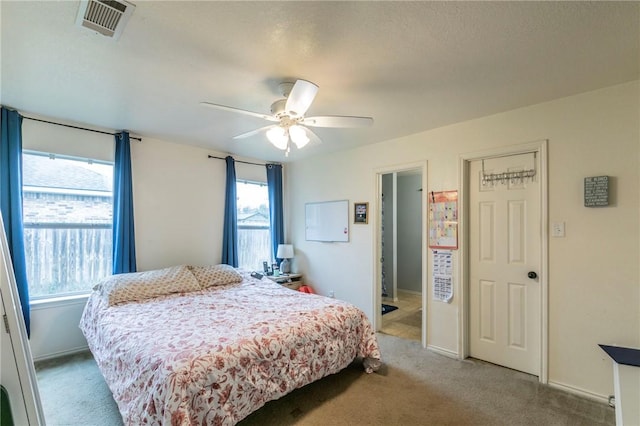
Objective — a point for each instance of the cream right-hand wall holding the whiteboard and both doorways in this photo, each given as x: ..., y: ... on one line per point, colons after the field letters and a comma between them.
x: 594, y: 278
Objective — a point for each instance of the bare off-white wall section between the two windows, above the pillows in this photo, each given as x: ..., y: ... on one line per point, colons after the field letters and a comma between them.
x: 178, y: 204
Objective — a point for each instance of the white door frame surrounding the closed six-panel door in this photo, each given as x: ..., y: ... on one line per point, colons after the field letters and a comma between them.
x: 540, y: 147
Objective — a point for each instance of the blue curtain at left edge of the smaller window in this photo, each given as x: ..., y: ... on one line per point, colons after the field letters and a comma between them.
x: 230, y: 232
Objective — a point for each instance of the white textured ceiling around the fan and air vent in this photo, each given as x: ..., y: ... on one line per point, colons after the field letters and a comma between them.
x: 412, y: 66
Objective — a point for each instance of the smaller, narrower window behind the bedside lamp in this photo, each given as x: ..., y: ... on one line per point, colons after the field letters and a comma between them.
x: 254, y: 236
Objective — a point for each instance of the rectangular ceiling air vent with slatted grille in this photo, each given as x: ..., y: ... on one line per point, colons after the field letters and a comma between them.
x: 108, y: 17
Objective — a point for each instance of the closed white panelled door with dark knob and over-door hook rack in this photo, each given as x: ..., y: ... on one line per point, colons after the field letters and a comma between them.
x: 504, y: 264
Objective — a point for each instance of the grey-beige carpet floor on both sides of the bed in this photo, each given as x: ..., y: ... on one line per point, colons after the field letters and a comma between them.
x: 414, y: 387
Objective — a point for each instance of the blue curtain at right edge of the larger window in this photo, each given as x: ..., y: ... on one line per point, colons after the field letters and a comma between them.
x: 124, y: 242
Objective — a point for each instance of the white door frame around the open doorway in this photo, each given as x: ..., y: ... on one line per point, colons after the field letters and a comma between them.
x: 377, y: 254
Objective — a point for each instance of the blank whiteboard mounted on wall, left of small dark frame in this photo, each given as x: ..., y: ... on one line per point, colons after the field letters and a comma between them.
x: 327, y: 221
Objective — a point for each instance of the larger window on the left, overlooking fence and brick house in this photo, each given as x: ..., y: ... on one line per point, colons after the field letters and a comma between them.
x: 67, y: 215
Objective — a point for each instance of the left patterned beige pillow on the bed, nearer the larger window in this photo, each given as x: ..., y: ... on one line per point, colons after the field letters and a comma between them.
x: 138, y: 286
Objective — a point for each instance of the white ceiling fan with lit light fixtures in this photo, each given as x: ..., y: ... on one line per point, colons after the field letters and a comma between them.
x: 289, y: 115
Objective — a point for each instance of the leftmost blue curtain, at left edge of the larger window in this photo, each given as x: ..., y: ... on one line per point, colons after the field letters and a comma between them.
x: 11, y: 202
